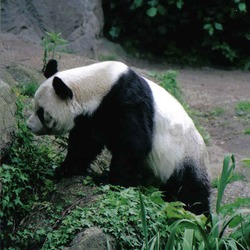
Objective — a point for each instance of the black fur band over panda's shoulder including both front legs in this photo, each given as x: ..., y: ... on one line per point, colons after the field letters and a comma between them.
x: 124, y: 124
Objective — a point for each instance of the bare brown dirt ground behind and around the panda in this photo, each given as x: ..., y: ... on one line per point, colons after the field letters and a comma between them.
x: 213, y: 93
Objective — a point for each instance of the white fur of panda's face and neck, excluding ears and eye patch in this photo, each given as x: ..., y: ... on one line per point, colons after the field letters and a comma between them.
x: 89, y: 85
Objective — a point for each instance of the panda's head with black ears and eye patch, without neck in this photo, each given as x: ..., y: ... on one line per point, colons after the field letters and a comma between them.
x: 55, y: 106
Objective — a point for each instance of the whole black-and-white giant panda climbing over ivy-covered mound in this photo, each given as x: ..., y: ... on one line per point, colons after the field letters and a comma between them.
x: 152, y: 139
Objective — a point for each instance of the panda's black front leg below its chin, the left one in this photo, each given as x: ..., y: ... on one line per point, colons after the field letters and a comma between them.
x: 82, y: 150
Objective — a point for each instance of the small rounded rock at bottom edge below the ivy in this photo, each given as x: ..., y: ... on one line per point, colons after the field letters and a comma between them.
x: 92, y: 239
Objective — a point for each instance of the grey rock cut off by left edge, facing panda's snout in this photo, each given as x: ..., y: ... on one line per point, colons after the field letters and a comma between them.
x: 7, y: 117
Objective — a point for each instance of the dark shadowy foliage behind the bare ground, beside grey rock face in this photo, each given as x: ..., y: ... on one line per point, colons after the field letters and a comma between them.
x: 215, y: 31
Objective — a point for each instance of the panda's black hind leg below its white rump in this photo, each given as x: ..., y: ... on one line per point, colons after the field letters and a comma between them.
x: 190, y: 187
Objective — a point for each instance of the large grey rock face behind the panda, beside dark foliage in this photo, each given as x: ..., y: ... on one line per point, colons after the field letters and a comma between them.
x: 79, y: 21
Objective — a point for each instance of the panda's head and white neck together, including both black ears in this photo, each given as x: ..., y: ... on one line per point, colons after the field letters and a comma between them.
x: 67, y: 94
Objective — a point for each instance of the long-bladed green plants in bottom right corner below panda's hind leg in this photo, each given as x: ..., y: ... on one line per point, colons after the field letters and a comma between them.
x: 210, y: 234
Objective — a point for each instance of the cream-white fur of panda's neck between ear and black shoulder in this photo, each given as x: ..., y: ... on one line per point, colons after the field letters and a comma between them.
x: 91, y: 83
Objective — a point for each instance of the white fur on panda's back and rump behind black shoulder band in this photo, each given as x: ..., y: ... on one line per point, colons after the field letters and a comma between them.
x: 175, y: 136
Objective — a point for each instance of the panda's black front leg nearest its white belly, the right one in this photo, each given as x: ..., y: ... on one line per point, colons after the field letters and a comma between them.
x: 129, y: 141
